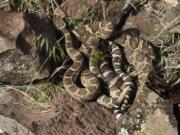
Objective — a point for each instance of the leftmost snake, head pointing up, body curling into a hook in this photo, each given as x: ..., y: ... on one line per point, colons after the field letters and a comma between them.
x: 89, y: 81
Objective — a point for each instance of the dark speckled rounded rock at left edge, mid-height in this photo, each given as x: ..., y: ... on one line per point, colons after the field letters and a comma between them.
x: 17, y: 68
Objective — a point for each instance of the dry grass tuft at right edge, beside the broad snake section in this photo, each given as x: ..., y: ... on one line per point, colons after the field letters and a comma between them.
x: 168, y: 57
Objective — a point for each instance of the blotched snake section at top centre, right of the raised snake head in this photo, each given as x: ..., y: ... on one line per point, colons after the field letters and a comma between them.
x: 90, y: 35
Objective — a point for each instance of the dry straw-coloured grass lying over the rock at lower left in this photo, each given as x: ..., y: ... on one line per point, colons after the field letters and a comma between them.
x: 37, y: 98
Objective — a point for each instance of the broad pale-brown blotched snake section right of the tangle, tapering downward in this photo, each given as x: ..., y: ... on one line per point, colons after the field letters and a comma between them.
x: 140, y: 54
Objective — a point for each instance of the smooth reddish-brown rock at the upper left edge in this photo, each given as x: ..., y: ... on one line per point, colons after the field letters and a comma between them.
x: 11, y: 24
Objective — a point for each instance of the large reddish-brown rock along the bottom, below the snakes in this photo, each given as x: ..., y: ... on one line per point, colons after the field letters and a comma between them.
x: 71, y: 117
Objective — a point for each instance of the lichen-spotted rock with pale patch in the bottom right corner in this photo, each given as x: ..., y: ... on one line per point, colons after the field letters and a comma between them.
x: 149, y: 115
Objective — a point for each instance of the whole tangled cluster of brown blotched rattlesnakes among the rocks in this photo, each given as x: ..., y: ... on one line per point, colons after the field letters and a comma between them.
x: 120, y: 85
